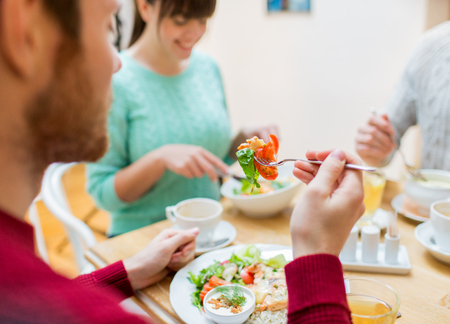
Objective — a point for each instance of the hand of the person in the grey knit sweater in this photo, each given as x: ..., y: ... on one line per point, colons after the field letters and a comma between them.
x: 374, y: 141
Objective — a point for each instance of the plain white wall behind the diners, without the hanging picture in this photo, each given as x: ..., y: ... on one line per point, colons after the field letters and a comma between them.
x: 316, y: 73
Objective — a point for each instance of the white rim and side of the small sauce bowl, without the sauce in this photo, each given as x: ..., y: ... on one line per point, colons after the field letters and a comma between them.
x: 230, y: 318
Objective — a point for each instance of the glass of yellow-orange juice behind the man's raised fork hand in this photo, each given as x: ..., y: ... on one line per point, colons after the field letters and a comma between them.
x: 374, y: 183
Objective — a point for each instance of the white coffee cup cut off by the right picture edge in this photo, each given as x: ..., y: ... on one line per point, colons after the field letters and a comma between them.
x: 440, y: 220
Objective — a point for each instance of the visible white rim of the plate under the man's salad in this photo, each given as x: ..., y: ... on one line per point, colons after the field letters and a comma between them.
x: 181, y: 288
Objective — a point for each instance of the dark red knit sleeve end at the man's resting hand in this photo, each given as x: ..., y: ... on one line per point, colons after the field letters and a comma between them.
x: 113, y: 276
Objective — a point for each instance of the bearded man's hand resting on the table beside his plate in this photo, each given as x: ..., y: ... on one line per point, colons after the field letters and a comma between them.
x: 169, y: 250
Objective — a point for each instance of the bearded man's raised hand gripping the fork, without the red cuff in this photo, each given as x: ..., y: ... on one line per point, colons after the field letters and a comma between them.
x: 331, y: 205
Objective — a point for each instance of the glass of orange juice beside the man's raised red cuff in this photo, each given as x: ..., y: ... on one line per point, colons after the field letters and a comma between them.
x: 371, y: 302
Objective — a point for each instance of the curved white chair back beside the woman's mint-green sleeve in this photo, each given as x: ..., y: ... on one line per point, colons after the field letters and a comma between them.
x: 54, y: 197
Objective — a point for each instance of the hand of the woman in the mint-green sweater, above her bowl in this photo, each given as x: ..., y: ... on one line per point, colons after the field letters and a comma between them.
x: 191, y: 161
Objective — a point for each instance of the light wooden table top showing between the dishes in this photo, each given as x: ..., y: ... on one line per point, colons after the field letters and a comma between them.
x: 420, y: 291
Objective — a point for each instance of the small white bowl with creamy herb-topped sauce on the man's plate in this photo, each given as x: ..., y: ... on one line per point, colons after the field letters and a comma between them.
x: 229, y: 304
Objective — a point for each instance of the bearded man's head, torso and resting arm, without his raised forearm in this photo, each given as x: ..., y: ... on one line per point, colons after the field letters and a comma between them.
x: 55, y: 70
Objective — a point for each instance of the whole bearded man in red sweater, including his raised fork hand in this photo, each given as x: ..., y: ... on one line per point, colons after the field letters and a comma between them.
x: 56, y: 66
